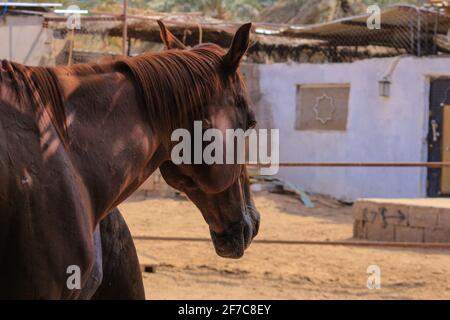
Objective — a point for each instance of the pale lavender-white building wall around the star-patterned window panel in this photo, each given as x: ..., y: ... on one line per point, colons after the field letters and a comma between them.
x: 390, y: 129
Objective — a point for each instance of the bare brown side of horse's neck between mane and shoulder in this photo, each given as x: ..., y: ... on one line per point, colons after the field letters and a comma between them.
x: 111, y: 143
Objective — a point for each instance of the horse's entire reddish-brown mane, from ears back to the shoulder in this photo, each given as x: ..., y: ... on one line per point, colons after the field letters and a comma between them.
x: 175, y: 86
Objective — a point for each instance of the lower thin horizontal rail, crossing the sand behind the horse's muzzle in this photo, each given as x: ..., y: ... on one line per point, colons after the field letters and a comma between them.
x: 349, y: 243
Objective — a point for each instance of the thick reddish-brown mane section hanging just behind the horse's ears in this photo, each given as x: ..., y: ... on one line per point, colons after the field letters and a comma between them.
x: 177, y: 86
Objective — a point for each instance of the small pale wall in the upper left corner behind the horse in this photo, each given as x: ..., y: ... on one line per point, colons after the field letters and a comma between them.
x: 24, y: 40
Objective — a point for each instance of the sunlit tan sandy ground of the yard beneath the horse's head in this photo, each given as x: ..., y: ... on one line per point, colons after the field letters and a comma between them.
x: 193, y: 271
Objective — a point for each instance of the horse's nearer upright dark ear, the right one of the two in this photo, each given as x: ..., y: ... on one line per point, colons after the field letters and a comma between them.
x: 238, y: 47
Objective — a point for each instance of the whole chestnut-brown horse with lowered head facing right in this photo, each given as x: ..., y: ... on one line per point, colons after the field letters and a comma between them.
x: 75, y: 142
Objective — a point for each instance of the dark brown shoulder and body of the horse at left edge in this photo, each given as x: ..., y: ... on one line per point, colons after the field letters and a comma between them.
x: 45, y: 211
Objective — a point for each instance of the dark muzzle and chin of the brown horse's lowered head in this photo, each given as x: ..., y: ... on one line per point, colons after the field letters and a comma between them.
x: 236, y: 239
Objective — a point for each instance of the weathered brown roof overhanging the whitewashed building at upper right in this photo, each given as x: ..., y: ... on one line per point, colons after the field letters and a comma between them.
x: 402, y: 26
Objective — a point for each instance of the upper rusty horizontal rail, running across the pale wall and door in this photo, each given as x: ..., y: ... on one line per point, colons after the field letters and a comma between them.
x: 357, y: 164
